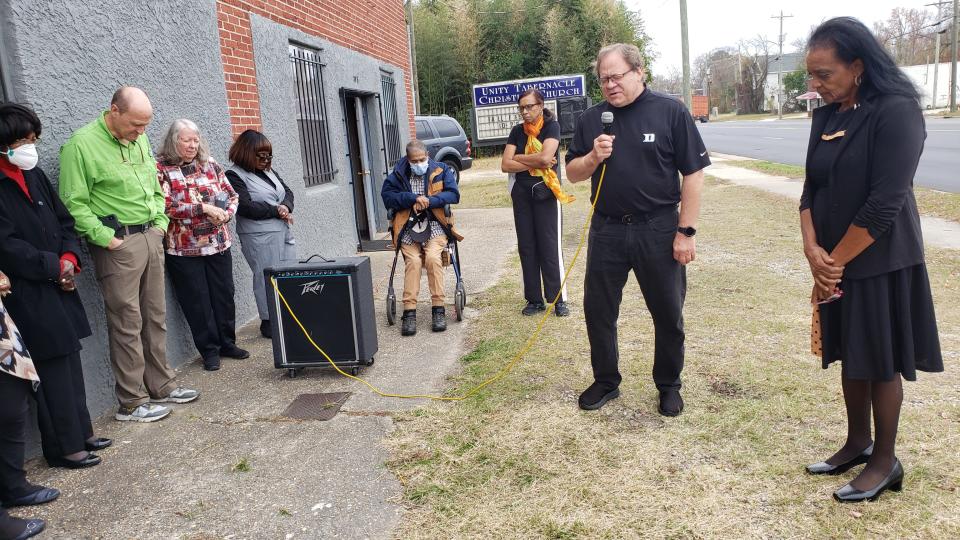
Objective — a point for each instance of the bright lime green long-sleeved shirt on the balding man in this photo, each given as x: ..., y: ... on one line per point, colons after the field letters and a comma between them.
x: 101, y: 177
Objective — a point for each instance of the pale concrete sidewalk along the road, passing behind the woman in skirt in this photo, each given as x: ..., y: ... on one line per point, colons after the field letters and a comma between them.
x: 937, y: 232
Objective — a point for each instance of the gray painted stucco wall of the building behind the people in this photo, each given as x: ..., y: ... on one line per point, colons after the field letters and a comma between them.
x: 66, y: 58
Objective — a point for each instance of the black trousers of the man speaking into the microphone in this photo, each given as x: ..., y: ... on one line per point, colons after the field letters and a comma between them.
x: 646, y: 247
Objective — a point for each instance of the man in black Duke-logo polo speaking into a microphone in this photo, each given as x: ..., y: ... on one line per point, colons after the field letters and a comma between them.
x: 636, y: 224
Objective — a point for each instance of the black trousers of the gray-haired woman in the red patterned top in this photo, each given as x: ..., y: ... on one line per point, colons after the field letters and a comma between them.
x: 204, y: 290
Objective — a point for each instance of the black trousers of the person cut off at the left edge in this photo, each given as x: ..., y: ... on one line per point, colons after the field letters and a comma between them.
x: 14, y: 408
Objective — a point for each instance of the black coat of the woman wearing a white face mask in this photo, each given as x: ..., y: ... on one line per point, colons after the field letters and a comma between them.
x: 33, y: 235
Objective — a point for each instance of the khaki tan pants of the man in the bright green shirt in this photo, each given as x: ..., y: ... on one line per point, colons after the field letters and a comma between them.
x: 131, y: 281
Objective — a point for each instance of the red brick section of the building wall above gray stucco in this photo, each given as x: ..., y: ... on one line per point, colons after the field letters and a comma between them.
x: 376, y: 28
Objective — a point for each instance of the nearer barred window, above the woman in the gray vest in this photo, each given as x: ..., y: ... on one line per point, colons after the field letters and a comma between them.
x: 312, y: 119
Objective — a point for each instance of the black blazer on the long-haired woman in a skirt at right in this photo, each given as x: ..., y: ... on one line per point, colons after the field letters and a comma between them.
x: 871, y: 184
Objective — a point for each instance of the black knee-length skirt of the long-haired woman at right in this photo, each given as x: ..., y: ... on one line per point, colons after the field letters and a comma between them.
x: 882, y: 326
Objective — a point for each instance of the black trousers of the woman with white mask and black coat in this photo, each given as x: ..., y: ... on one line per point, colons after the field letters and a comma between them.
x: 62, y: 413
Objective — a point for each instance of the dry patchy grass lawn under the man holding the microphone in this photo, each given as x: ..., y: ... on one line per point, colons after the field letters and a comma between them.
x: 520, y: 460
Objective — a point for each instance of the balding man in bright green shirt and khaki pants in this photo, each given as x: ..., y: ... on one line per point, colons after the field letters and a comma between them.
x: 108, y: 181
